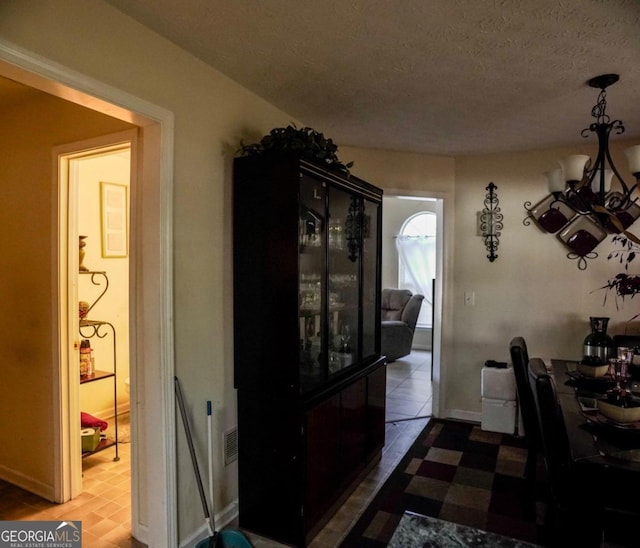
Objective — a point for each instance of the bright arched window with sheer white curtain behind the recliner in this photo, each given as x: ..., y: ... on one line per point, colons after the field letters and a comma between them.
x: 416, y: 245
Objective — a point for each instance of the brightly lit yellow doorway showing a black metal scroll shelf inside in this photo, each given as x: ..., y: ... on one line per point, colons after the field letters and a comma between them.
x: 95, y: 183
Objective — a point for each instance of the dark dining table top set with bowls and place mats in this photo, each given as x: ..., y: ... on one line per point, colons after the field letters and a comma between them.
x: 593, y: 440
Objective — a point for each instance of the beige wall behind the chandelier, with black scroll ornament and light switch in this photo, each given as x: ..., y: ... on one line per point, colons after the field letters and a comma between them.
x: 532, y: 289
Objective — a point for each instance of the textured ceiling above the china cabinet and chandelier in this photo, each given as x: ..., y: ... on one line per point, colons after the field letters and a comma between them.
x: 436, y: 76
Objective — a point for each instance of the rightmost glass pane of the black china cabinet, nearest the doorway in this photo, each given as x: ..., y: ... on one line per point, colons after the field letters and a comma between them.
x: 370, y: 305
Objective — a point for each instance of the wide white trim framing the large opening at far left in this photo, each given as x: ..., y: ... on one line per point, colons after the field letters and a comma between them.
x: 155, y: 518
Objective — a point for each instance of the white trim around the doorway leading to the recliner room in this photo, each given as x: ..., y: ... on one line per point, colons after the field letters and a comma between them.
x: 443, y: 203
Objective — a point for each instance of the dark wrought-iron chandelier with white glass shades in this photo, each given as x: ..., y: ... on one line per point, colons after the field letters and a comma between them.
x: 589, y: 199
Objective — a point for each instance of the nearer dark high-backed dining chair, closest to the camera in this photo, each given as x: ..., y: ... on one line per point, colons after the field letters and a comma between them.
x: 575, y: 512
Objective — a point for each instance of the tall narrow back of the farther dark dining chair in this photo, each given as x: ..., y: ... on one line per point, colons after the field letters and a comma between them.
x: 520, y: 361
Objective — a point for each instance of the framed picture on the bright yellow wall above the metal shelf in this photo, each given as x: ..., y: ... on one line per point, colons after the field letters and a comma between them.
x: 114, y: 220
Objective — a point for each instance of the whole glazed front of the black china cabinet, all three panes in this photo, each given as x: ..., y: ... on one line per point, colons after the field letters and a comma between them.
x: 339, y: 317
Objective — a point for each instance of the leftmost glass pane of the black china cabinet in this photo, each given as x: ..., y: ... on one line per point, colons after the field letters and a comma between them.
x: 312, y: 283
